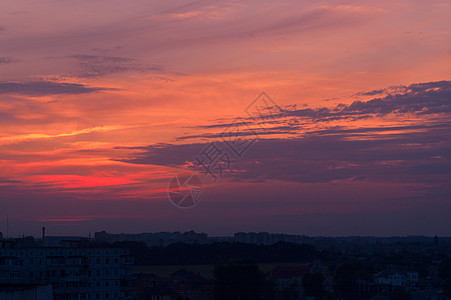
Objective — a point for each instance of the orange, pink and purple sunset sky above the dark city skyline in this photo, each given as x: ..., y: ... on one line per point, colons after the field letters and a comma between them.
x: 326, y: 117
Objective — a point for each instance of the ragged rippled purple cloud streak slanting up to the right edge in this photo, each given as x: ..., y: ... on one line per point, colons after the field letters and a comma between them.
x: 418, y: 99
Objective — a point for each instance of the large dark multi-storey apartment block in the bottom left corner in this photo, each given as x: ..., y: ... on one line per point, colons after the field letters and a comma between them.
x: 73, y: 272
